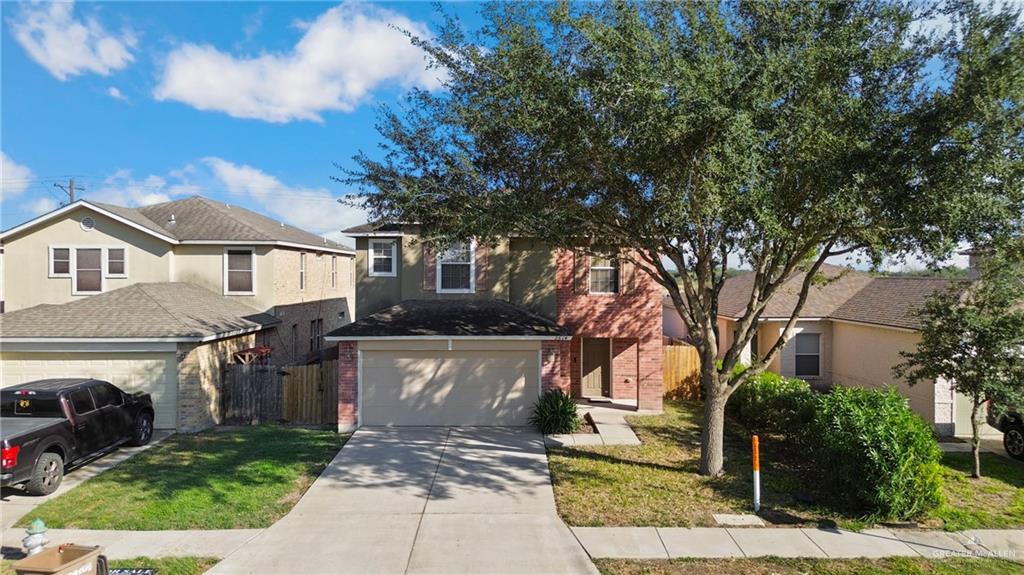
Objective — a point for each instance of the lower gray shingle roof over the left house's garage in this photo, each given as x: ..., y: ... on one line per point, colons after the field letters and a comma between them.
x: 142, y: 311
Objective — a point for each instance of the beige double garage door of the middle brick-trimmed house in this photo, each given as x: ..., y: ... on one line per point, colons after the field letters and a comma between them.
x: 449, y: 388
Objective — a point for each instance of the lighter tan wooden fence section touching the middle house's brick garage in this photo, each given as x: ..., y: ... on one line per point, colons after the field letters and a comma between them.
x: 311, y: 394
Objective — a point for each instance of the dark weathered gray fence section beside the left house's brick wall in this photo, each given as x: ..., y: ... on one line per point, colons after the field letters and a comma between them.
x: 250, y: 394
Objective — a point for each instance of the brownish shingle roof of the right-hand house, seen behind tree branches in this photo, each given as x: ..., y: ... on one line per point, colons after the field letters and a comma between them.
x: 854, y: 296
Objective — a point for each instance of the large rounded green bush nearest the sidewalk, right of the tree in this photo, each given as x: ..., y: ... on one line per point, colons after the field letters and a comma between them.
x: 877, y: 456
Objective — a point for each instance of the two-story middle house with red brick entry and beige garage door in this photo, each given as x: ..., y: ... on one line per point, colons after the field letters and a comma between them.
x: 475, y: 334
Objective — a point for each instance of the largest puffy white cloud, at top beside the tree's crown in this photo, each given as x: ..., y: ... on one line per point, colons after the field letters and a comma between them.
x: 343, y: 57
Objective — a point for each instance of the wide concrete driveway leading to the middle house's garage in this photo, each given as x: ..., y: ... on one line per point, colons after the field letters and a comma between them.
x: 423, y: 501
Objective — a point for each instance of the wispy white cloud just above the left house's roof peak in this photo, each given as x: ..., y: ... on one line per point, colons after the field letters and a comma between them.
x: 315, y: 210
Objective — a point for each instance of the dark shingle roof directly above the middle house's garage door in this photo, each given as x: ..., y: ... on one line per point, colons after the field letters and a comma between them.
x: 452, y: 318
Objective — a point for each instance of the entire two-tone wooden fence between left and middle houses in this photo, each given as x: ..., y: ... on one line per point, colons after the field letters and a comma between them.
x: 294, y: 394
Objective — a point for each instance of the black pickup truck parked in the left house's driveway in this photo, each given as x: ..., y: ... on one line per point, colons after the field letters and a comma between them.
x: 49, y: 425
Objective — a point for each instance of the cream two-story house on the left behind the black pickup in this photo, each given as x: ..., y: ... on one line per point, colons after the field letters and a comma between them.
x: 160, y: 298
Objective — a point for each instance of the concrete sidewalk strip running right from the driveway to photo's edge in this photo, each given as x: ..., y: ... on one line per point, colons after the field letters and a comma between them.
x: 665, y: 543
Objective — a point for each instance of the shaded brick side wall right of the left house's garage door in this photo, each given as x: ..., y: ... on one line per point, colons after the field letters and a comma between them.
x: 201, y: 368
